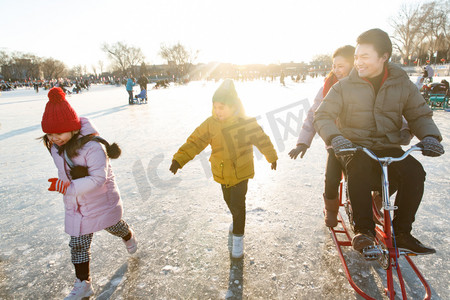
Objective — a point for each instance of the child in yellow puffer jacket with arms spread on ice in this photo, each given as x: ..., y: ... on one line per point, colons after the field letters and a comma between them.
x: 232, y: 136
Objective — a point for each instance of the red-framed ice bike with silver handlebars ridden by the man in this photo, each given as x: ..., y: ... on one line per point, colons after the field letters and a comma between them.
x: 384, y: 250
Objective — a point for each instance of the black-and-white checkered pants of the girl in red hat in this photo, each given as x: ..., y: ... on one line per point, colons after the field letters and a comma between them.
x: 80, y: 246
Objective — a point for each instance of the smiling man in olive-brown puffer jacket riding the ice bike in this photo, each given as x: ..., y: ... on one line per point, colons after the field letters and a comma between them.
x: 366, y: 109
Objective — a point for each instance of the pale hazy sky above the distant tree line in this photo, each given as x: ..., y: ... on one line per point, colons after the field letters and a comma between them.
x: 237, y: 31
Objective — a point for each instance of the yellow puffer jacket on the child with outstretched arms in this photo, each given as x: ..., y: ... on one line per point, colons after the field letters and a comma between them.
x: 232, y: 143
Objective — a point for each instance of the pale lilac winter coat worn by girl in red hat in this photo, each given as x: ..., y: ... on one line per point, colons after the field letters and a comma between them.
x: 92, y: 203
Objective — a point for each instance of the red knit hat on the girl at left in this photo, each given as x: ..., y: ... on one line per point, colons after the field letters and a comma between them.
x: 59, y: 116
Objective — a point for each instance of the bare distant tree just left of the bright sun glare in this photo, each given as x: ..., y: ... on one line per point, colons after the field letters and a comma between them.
x: 178, y: 56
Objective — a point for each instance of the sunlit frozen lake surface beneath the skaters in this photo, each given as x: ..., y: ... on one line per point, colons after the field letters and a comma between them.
x: 181, y: 221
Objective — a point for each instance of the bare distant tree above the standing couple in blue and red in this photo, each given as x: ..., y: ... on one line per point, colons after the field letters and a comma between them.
x: 122, y: 56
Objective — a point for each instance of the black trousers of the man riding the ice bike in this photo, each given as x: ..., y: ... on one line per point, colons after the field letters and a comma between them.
x: 364, y: 173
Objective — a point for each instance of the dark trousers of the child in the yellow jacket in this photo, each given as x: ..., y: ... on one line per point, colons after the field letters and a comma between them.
x: 234, y: 196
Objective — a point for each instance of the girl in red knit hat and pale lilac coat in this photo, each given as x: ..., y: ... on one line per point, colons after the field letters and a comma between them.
x: 85, y: 178
